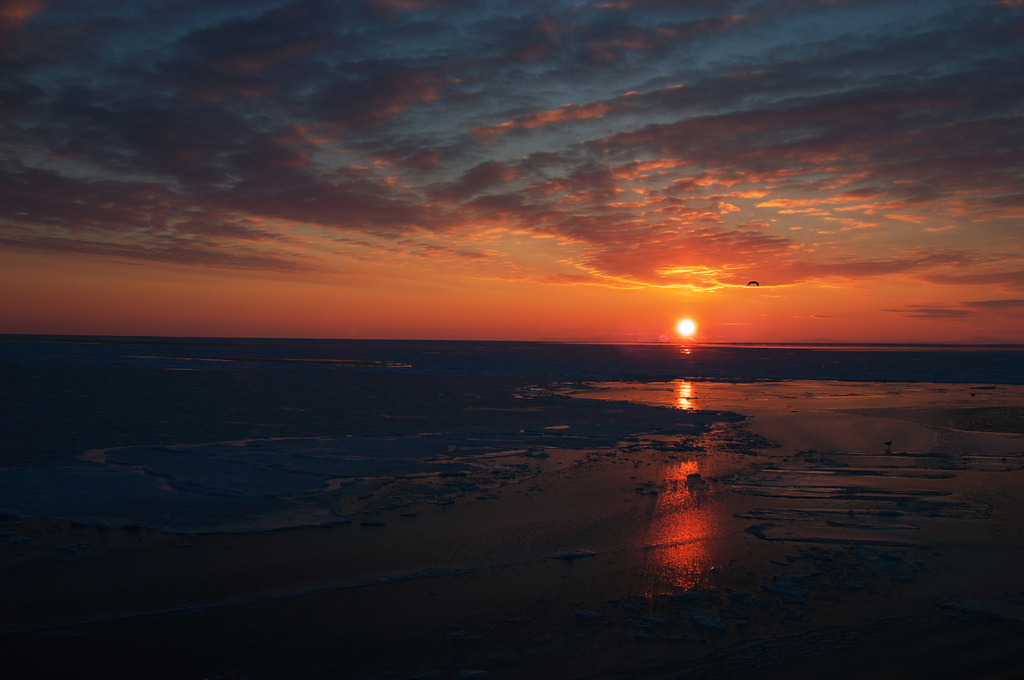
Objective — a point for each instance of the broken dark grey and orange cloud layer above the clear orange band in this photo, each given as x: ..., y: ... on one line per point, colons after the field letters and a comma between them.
x: 658, y: 143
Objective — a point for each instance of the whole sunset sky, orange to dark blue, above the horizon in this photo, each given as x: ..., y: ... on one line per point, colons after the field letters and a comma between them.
x: 515, y: 169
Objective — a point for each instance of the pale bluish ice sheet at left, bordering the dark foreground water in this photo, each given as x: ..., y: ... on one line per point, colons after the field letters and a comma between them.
x: 237, y: 486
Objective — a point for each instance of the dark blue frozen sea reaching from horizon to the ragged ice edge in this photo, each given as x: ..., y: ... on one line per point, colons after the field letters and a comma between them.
x: 246, y: 435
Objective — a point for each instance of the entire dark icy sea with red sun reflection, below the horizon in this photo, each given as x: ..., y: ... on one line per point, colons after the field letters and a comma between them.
x: 314, y: 509
